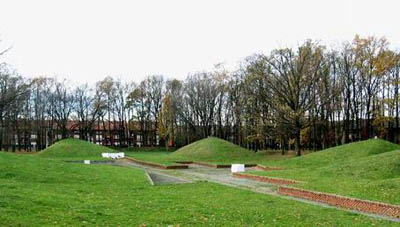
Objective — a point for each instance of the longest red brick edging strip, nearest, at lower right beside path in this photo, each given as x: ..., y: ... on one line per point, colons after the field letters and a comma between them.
x: 344, y: 202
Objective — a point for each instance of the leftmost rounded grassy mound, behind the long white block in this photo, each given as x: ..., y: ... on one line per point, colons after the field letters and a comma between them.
x: 74, y: 149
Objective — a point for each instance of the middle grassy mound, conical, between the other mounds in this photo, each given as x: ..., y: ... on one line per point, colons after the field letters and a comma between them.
x: 213, y: 150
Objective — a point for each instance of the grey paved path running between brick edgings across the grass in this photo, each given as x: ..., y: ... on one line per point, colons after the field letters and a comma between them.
x: 223, y: 176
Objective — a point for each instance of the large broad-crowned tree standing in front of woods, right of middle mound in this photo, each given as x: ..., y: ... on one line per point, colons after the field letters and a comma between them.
x: 292, y: 79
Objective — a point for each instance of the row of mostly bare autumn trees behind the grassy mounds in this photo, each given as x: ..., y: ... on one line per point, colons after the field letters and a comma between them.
x: 308, y: 97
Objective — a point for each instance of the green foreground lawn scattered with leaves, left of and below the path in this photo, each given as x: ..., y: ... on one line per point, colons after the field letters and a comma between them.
x: 37, y: 191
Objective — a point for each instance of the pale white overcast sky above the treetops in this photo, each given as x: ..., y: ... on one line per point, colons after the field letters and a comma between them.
x: 86, y: 40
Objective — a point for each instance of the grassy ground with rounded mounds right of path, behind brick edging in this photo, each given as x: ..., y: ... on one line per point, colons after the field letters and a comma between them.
x: 367, y: 170
